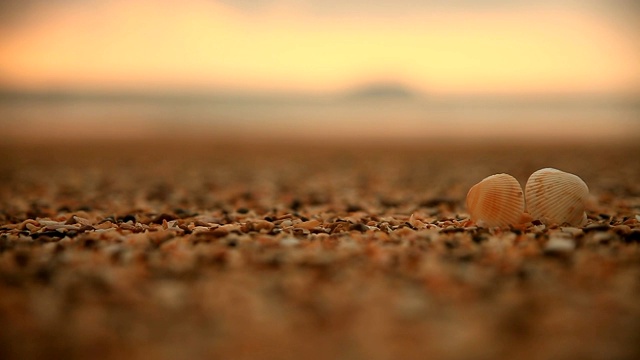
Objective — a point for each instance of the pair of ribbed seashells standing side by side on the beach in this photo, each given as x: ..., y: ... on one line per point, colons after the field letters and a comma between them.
x: 552, y: 196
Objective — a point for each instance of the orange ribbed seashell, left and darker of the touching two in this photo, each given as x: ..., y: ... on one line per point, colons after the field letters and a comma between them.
x: 496, y: 201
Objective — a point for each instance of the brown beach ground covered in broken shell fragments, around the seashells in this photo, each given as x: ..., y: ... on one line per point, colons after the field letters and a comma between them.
x: 170, y: 250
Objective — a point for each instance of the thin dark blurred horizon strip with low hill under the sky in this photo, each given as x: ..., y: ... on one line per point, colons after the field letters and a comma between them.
x: 374, y: 90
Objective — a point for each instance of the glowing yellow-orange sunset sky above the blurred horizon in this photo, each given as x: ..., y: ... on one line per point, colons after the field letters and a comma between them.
x: 291, y: 45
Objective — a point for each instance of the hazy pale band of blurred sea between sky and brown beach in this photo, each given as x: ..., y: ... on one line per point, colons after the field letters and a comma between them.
x: 393, y: 116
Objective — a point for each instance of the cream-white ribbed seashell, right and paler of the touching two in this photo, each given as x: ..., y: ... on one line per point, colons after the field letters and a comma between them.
x: 556, y: 197
